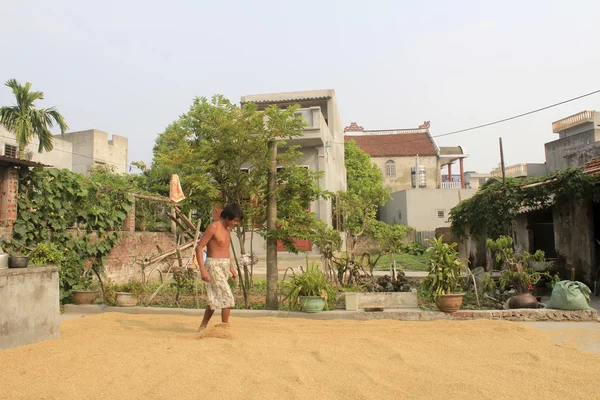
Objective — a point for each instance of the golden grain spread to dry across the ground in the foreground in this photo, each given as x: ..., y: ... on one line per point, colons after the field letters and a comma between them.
x: 122, y: 356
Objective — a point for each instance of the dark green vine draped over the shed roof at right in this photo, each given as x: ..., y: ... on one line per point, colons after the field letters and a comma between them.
x: 491, y: 212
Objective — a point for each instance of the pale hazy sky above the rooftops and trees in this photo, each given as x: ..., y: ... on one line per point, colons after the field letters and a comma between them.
x: 132, y: 67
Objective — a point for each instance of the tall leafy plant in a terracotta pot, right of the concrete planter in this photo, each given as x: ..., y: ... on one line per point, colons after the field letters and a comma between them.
x: 443, y: 280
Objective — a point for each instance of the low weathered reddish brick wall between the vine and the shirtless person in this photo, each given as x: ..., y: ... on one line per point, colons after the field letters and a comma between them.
x: 120, y: 265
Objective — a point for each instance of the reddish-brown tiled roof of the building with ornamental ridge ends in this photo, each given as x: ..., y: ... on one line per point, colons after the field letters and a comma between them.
x: 402, y: 145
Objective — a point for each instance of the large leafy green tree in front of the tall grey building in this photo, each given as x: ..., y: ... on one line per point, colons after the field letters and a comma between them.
x: 221, y: 152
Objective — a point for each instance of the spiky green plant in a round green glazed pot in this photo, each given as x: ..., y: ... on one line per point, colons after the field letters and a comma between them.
x: 310, y: 290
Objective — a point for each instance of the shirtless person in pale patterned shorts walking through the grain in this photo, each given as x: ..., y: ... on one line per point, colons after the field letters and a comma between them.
x: 213, y: 271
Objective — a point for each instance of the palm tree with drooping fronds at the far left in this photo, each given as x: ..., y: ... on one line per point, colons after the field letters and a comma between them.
x: 26, y: 121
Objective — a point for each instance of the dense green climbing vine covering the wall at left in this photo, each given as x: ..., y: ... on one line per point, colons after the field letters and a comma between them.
x: 81, y: 216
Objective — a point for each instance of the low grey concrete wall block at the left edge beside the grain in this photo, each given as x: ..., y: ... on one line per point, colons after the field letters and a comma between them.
x: 29, y: 306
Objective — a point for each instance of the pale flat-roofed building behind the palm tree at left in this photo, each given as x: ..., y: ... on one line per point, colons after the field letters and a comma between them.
x: 76, y: 151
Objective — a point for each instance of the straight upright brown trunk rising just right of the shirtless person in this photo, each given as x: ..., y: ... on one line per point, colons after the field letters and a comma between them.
x: 272, y: 273
